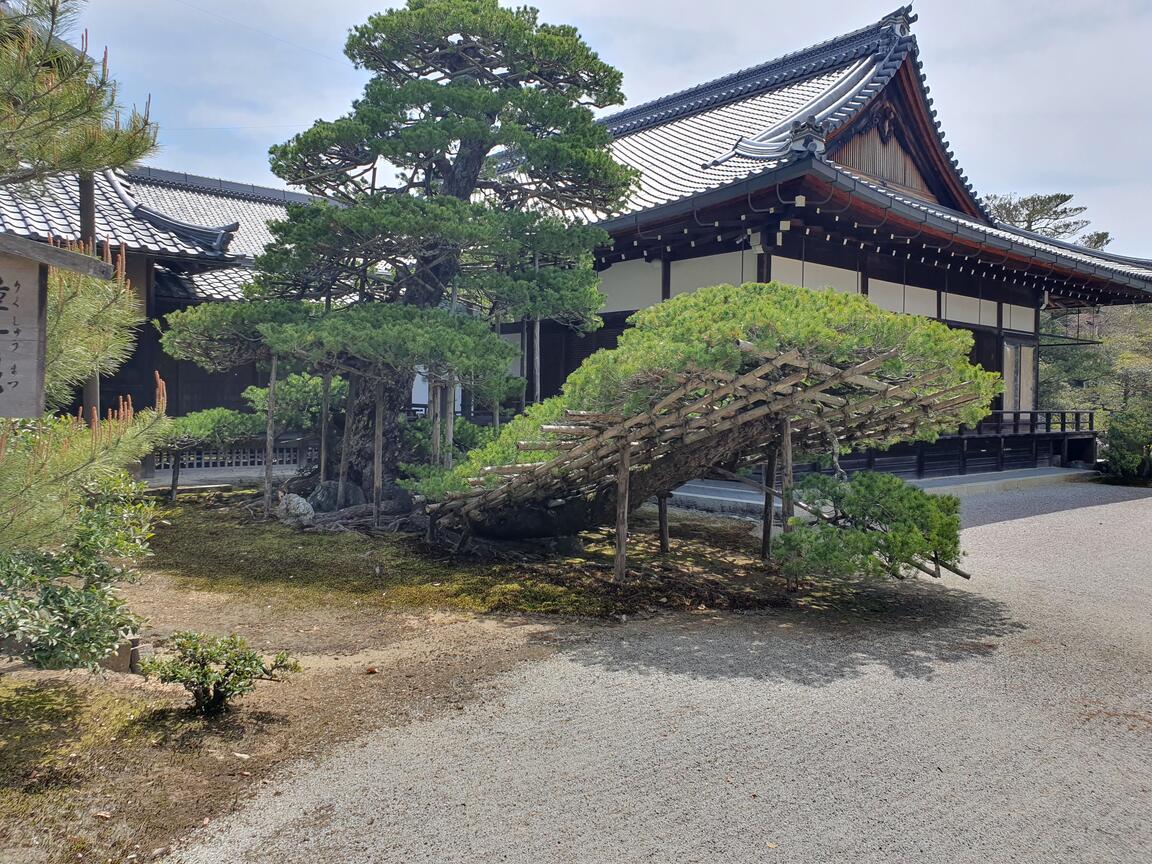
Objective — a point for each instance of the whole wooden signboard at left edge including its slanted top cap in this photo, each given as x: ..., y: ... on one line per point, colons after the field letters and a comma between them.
x: 24, y: 317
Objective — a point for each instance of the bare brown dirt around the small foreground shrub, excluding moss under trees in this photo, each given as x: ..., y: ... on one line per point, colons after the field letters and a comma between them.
x: 112, y: 769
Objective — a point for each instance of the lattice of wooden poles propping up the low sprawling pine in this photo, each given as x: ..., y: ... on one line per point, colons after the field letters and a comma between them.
x: 711, y: 419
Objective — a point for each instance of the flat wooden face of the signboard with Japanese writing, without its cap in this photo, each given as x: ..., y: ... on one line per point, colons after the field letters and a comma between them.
x: 24, y: 307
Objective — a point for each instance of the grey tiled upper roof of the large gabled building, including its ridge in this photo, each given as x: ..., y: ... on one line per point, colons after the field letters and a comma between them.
x: 740, y: 125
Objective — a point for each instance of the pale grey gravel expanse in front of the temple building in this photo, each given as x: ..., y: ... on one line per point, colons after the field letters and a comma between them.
x: 1009, y: 721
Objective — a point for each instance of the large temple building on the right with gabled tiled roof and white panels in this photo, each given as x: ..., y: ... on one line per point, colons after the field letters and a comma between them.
x: 828, y: 169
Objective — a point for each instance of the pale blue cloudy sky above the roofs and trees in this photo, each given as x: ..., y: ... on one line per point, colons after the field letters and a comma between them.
x: 1035, y: 96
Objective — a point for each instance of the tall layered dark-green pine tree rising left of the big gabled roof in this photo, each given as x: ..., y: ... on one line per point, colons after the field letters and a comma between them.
x: 458, y: 179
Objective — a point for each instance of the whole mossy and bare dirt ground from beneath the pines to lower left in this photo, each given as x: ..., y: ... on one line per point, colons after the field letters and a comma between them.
x: 113, y: 769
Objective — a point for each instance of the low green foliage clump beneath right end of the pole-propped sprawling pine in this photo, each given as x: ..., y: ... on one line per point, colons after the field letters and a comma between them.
x: 880, y: 526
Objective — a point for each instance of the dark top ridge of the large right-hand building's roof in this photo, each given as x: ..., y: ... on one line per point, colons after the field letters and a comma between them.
x: 771, y: 74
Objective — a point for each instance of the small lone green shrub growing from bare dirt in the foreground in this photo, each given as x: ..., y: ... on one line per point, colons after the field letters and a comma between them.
x: 216, y: 670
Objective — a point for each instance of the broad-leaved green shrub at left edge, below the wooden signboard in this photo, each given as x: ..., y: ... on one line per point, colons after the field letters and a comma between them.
x: 59, y: 608
